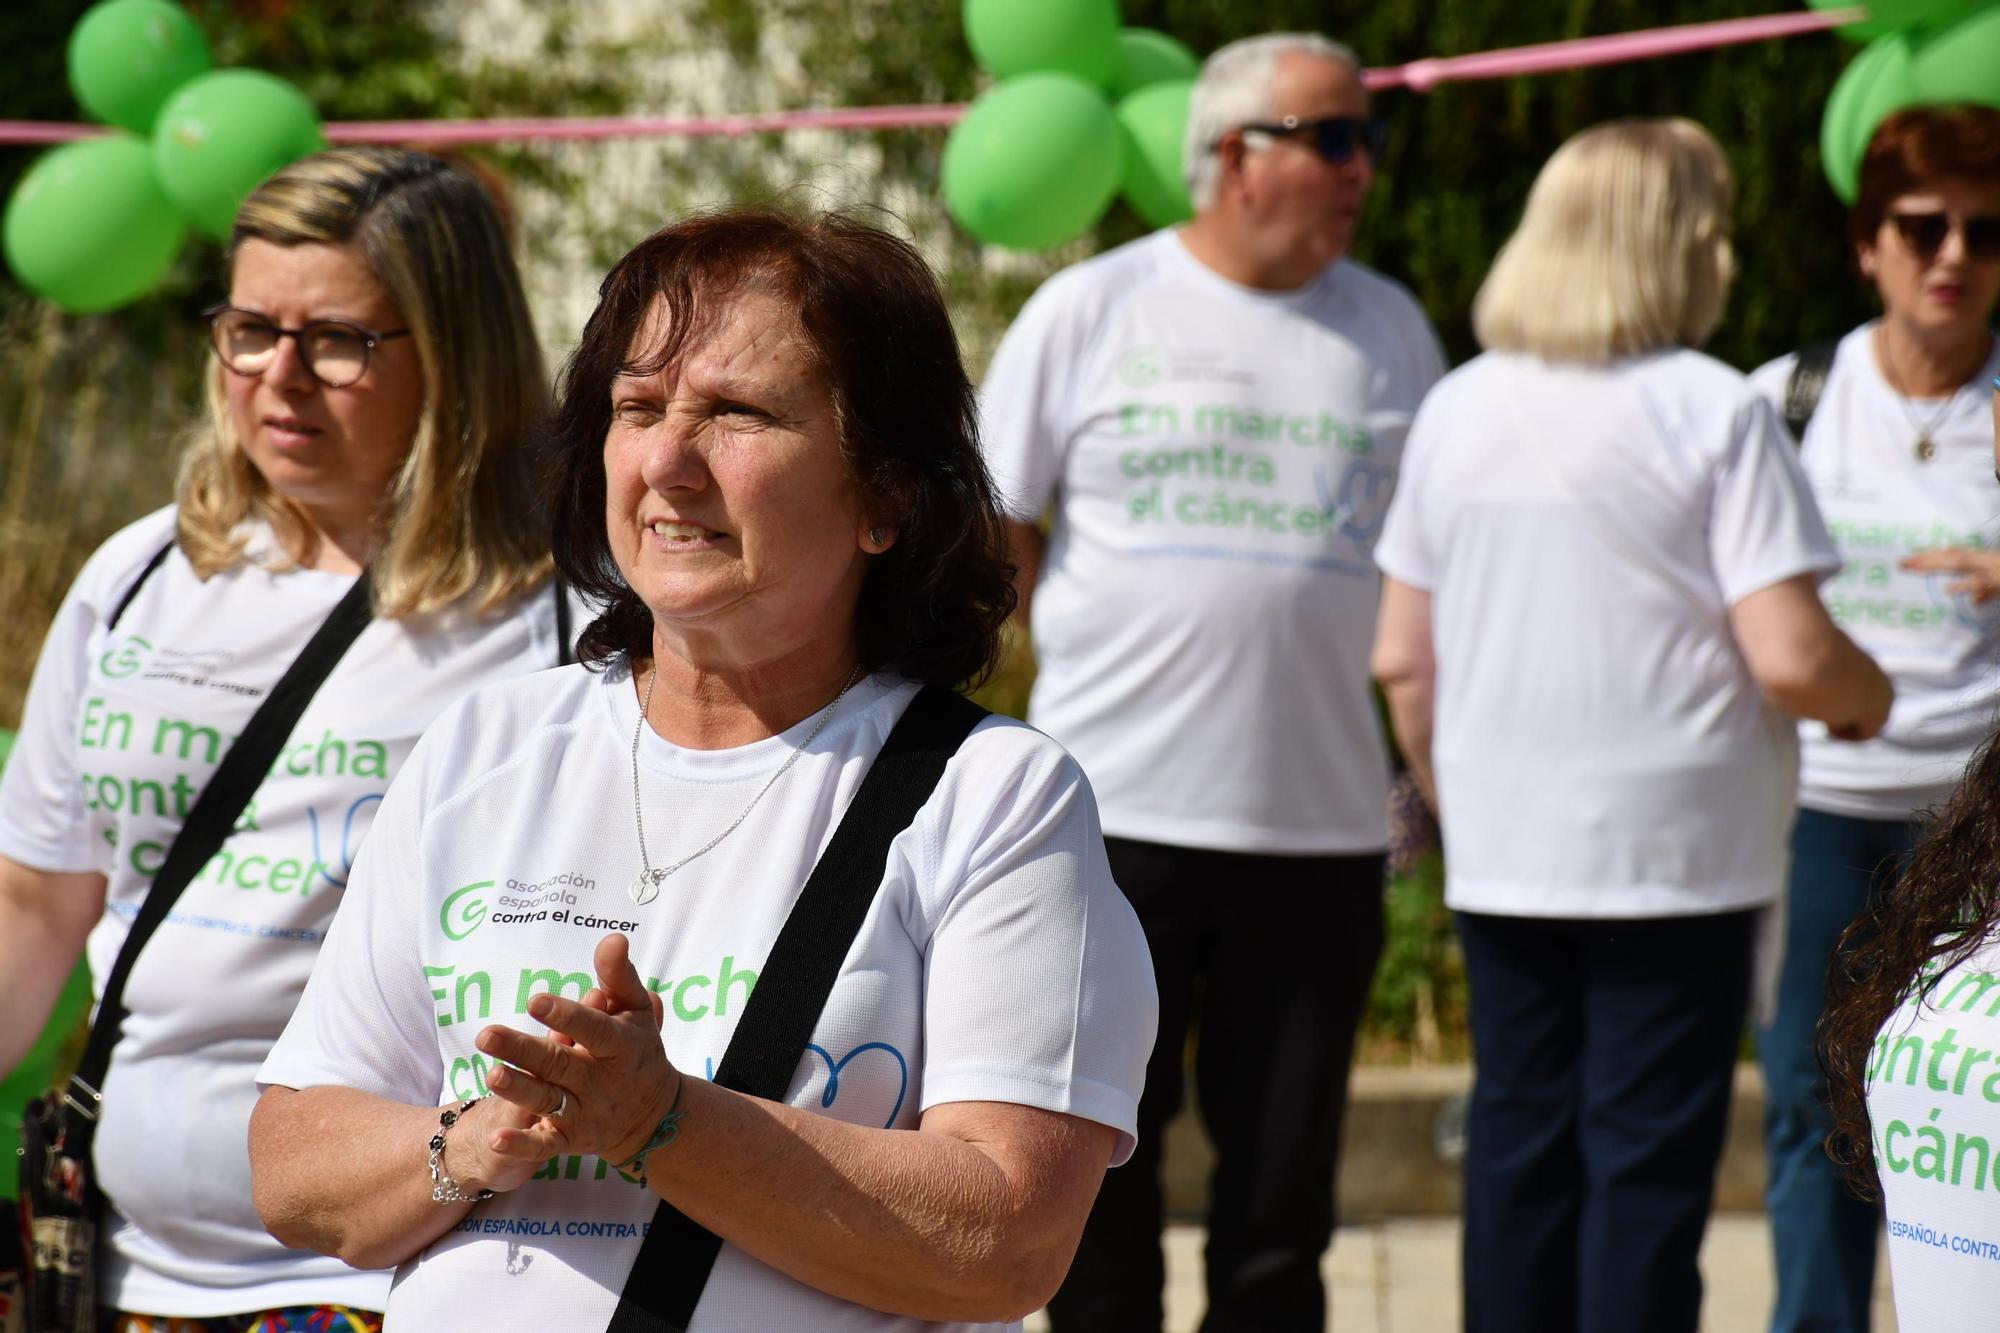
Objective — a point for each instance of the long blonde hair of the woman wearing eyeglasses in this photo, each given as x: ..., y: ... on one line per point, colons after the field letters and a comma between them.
x: 459, y: 521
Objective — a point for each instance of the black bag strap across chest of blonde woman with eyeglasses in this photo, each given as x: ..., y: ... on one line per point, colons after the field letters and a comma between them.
x: 213, y: 820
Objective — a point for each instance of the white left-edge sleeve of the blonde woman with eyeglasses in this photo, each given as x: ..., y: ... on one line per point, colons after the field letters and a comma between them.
x: 43, y: 818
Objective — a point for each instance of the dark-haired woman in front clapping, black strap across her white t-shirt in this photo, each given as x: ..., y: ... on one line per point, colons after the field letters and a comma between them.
x: 767, y: 469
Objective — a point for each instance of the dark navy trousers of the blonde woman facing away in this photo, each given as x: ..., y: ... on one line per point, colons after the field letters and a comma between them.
x: 1605, y: 1062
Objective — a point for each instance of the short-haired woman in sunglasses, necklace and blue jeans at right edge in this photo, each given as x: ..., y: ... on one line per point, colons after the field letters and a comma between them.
x: 1901, y: 451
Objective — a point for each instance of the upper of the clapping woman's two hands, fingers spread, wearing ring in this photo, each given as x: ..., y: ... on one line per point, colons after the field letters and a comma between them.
x: 601, y: 1084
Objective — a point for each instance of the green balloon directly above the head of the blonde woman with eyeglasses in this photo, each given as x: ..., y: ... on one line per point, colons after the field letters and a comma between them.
x: 223, y: 135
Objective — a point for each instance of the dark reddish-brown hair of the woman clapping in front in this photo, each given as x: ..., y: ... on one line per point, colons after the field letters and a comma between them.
x: 869, y: 309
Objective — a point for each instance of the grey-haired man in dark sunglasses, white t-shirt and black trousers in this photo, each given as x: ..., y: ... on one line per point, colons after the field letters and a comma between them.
x: 1213, y: 419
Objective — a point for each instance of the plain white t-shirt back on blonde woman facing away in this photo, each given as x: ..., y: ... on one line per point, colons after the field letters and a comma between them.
x: 1601, y: 748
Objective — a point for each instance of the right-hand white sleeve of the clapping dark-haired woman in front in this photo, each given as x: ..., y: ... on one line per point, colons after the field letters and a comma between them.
x: 1039, y: 982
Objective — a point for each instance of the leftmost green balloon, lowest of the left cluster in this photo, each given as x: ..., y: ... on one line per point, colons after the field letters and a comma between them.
x: 89, y: 225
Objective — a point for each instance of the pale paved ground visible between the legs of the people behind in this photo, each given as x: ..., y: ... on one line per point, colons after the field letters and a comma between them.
x: 1403, y: 1278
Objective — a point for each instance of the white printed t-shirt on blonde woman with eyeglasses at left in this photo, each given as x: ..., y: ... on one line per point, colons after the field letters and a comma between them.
x: 121, y: 734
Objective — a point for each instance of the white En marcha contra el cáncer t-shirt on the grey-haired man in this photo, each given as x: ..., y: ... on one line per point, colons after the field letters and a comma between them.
x: 1219, y: 463
